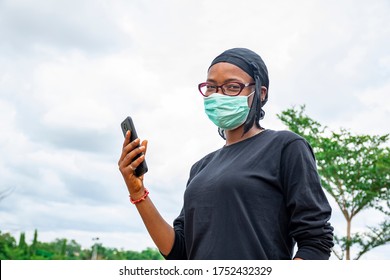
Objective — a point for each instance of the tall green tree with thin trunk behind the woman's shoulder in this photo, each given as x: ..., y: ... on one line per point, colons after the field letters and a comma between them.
x: 355, y: 171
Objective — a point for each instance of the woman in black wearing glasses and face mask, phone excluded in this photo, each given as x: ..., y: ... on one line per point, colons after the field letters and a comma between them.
x: 254, y: 198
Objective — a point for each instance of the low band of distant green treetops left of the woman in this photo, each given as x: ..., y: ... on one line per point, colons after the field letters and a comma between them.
x: 62, y: 249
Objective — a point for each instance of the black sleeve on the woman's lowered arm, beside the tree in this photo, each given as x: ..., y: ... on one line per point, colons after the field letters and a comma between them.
x: 307, y: 204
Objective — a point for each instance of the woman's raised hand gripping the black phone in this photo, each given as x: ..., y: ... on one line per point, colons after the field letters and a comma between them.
x: 127, y: 165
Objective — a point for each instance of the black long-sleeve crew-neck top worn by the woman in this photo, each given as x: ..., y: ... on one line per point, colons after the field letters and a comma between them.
x: 254, y: 200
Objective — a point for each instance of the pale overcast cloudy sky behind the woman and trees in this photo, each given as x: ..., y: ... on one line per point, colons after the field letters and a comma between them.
x: 71, y: 71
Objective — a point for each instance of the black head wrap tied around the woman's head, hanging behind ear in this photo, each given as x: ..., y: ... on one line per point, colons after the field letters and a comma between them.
x: 252, y: 64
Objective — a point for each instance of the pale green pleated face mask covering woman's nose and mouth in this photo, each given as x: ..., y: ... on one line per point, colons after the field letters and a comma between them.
x: 227, y: 112
